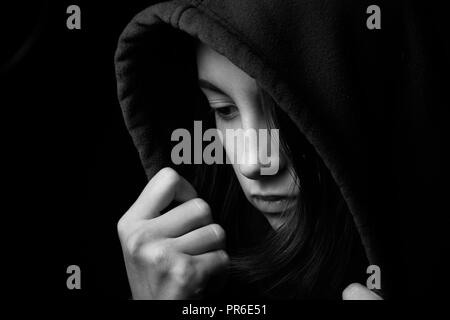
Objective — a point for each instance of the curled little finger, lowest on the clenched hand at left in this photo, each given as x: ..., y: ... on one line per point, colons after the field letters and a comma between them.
x: 210, y: 263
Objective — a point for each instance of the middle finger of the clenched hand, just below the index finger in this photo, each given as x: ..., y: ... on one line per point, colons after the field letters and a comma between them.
x: 187, y: 217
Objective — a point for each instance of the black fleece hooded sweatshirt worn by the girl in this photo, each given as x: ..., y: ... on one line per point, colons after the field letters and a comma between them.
x: 360, y: 96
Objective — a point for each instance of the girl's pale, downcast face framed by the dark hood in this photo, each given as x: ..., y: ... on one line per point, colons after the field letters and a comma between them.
x: 234, y: 97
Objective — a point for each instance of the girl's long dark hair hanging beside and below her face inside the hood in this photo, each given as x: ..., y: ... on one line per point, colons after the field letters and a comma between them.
x: 309, y: 255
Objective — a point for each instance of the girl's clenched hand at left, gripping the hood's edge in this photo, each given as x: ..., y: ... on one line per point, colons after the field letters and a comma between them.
x: 170, y: 256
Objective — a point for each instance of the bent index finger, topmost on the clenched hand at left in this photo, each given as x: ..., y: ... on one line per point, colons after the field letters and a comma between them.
x: 167, y: 185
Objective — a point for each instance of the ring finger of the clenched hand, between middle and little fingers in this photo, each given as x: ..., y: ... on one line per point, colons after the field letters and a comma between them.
x: 202, y: 240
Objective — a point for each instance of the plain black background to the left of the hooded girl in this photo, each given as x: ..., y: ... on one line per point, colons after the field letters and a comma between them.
x: 71, y: 170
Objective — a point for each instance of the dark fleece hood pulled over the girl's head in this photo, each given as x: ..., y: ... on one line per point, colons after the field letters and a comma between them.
x: 341, y: 84
